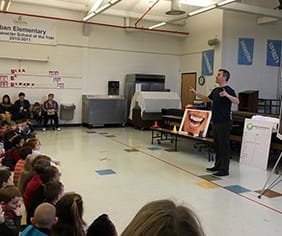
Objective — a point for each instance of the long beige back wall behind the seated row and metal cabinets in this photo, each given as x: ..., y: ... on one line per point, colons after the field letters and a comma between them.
x: 87, y: 62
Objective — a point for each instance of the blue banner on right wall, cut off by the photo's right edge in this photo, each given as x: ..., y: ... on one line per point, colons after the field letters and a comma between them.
x: 273, y: 54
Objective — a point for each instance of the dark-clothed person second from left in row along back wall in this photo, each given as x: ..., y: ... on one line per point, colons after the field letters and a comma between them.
x: 21, y: 108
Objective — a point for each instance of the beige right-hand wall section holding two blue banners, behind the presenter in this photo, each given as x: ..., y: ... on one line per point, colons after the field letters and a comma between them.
x: 257, y: 76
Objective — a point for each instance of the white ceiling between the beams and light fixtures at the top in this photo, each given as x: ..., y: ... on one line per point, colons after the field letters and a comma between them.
x: 135, y: 8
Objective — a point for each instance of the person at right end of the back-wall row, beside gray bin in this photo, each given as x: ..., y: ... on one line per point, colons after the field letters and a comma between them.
x: 50, y: 108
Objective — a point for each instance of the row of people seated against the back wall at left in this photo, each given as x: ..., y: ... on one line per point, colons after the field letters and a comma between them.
x: 22, y: 110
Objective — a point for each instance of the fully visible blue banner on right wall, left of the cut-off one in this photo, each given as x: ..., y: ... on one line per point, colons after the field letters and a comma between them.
x: 245, y: 51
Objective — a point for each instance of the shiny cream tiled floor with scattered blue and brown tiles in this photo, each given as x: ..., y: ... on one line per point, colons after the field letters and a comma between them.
x: 134, y: 172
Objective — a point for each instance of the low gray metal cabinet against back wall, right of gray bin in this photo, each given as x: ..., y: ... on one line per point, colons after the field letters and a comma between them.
x: 99, y: 110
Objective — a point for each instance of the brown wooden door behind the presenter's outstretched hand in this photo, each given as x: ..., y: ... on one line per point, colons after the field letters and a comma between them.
x: 188, y: 80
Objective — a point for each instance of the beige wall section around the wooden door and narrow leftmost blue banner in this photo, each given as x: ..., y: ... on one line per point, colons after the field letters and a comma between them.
x: 202, y: 28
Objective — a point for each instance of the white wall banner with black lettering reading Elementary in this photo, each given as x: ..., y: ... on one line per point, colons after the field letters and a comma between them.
x: 24, y: 29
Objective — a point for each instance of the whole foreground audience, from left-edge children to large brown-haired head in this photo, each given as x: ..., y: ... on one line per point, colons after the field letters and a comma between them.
x: 29, y: 177
